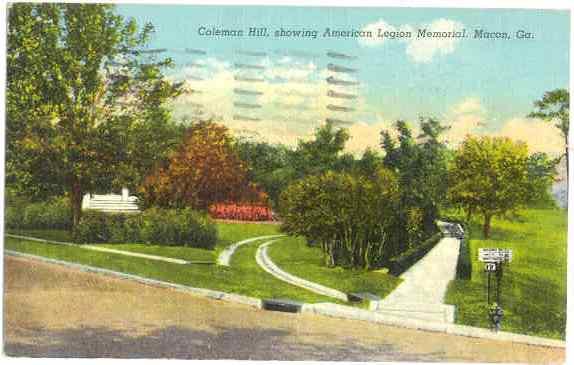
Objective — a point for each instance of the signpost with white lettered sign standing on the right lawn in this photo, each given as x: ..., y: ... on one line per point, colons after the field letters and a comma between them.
x: 494, y: 259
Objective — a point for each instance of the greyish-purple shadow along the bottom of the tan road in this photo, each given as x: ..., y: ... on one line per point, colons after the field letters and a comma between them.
x: 184, y: 343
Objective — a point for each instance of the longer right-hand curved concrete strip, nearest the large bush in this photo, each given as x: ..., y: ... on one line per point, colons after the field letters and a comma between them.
x: 265, y: 262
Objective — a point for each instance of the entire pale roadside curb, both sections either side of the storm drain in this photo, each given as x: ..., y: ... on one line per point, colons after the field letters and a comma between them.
x: 324, y: 309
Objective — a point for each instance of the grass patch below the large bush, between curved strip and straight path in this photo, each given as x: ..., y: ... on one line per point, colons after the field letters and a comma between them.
x: 296, y: 257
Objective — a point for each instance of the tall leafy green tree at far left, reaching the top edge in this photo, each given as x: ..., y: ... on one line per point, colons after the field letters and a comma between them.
x: 79, y: 82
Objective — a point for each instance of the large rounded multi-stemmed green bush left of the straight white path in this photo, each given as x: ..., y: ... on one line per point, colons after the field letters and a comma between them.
x: 350, y: 217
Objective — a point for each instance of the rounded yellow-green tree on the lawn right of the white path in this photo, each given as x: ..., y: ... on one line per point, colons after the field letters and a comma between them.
x: 490, y: 176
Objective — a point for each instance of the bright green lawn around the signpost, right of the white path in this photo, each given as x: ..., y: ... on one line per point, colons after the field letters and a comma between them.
x: 534, y: 283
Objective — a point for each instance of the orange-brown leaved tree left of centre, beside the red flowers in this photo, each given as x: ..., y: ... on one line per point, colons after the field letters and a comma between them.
x: 204, y: 170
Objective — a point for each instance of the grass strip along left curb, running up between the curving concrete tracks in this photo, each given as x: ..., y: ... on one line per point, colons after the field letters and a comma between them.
x: 243, y: 277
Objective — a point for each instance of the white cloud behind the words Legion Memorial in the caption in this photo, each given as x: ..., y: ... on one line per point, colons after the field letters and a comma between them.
x: 419, y: 50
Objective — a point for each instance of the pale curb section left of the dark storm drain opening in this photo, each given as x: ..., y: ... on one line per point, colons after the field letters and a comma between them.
x: 207, y: 293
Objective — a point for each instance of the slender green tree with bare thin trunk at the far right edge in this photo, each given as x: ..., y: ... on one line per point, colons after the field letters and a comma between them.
x: 555, y: 106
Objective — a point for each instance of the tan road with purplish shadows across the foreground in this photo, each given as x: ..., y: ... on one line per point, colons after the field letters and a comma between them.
x: 53, y: 311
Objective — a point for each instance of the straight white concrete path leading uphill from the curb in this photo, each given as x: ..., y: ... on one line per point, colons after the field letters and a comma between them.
x: 421, y: 294
